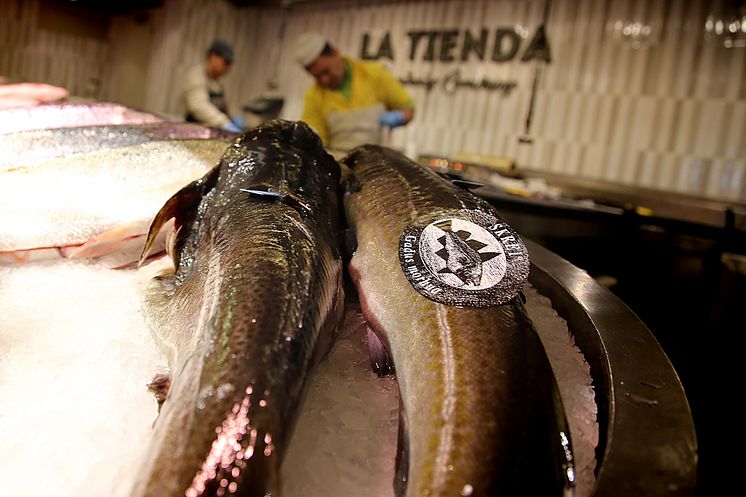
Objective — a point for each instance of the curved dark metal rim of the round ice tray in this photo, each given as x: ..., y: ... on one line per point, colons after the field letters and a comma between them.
x: 647, y: 443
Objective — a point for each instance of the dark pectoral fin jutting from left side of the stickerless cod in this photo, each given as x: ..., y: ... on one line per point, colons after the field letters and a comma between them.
x: 182, y: 206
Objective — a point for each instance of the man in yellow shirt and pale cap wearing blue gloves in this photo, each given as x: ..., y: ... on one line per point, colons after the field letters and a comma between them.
x: 351, y: 101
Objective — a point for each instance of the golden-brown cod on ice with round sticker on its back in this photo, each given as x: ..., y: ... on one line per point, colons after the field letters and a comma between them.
x: 480, y: 411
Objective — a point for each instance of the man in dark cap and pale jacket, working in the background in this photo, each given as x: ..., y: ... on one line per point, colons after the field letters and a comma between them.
x: 203, y: 94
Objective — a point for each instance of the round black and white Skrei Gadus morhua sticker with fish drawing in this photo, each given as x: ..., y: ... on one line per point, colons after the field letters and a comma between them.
x: 470, y: 259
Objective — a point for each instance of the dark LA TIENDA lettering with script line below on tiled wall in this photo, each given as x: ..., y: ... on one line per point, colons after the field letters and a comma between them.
x: 457, y: 46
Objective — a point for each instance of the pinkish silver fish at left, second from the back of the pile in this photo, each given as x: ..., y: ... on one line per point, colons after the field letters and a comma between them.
x: 64, y: 115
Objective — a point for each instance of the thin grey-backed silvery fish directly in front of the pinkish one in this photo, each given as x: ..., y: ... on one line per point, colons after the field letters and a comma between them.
x: 25, y: 147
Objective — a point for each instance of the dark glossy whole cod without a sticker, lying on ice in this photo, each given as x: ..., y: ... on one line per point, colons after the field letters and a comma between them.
x: 257, y: 285
